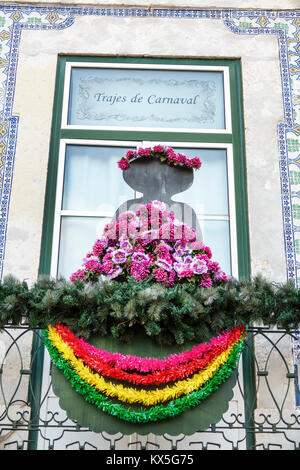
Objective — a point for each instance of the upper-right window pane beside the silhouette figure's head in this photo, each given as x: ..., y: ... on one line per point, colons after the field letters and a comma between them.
x: 208, y: 194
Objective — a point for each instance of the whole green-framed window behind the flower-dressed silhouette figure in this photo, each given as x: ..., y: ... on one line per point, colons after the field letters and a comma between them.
x: 104, y: 107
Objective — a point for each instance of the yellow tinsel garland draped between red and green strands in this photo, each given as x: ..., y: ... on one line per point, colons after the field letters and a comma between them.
x: 129, y: 394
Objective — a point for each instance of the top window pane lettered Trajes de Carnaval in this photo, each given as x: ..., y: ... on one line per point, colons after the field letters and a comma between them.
x: 145, y: 98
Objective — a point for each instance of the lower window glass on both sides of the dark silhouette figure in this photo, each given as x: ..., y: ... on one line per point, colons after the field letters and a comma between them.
x: 92, y: 182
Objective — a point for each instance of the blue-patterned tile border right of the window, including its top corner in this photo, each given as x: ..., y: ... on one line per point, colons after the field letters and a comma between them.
x: 286, y: 25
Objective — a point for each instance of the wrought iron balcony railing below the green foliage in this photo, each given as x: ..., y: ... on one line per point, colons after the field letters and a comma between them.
x: 263, y: 414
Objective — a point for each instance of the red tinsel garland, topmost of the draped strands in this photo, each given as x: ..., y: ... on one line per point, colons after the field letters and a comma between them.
x: 99, y: 360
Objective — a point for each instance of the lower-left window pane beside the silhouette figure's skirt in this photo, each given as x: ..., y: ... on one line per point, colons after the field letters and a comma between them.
x: 77, y: 236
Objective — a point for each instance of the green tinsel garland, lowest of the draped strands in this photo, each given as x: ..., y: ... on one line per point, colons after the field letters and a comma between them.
x: 154, y: 413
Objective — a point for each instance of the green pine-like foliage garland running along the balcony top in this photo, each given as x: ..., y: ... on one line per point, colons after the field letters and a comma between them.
x: 179, y: 314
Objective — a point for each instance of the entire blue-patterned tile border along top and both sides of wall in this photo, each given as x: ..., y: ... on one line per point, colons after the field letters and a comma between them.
x: 284, y: 24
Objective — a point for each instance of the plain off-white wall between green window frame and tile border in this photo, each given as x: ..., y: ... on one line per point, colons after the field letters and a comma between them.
x: 200, y: 38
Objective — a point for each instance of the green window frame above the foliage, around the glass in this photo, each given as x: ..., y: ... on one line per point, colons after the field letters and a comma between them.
x: 233, y: 137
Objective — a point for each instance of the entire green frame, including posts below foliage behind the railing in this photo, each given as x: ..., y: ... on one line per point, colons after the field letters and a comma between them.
x: 235, y: 138
